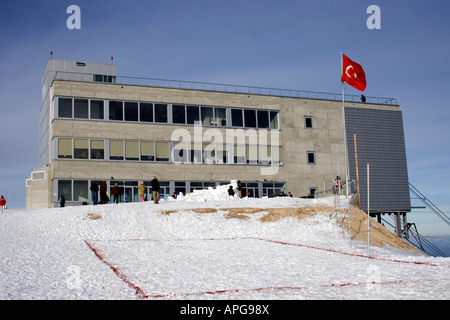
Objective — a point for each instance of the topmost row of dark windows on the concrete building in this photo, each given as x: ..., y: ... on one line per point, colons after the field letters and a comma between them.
x: 147, y: 112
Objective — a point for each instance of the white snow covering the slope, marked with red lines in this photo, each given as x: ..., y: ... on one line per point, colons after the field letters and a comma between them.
x: 171, y: 250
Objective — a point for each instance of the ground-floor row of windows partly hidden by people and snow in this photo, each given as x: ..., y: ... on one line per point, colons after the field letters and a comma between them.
x: 78, y: 190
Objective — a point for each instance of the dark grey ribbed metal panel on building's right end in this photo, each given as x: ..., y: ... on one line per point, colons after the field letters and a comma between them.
x: 380, y: 142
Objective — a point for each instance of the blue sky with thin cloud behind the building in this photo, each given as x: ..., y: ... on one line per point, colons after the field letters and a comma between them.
x: 279, y: 44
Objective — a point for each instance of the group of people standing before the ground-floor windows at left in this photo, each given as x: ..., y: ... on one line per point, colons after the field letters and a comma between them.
x: 116, y: 192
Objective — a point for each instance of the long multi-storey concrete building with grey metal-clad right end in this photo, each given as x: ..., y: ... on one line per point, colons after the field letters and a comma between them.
x: 96, y: 125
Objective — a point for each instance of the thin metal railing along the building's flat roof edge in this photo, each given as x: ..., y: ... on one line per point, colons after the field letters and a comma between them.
x: 218, y: 87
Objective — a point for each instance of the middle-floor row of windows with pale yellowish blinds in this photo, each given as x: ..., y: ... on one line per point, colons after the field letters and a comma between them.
x: 163, y: 151
